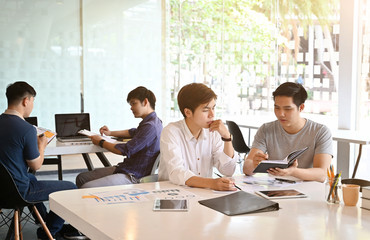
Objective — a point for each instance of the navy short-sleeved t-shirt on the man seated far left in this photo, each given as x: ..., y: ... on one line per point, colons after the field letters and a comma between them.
x: 18, y: 143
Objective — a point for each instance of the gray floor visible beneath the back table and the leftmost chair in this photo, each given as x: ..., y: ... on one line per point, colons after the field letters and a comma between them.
x: 29, y: 230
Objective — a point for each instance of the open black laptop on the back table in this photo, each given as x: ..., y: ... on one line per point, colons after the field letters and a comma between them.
x: 67, y: 126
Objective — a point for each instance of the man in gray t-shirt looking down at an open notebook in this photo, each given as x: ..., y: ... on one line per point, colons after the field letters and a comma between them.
x: 275, y: 140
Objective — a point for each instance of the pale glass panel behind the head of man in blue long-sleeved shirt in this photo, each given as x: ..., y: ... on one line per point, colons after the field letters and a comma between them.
x: 122, y: 50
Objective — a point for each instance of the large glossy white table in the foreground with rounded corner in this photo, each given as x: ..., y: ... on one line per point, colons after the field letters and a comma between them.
x: 310, y: 218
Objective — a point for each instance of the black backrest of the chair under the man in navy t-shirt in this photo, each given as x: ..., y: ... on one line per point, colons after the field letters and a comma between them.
x: 10, y: 196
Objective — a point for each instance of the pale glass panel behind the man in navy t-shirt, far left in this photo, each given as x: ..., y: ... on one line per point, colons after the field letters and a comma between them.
x: 39, y: 44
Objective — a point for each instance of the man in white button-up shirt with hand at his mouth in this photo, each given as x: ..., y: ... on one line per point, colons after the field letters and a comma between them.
x: 191, y: 147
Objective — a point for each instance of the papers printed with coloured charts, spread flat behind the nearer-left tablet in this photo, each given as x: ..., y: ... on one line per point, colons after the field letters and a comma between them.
x: 135, y: 195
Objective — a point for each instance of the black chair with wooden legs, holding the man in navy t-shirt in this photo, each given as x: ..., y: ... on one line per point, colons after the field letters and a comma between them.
x: 12, y: 199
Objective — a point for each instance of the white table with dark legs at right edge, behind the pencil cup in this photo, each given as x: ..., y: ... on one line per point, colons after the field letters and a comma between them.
x: 349, y: 136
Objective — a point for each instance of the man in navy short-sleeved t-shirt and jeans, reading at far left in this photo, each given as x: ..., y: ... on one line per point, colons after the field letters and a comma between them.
x: 21, y: 148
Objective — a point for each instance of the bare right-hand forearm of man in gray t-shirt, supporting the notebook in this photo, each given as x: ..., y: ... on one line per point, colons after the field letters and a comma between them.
x: 321, y: 163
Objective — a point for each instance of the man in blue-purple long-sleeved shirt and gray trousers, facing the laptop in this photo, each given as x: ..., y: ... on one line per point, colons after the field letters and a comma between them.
x: 141, y: 151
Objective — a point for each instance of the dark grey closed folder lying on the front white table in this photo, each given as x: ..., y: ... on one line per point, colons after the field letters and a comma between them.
x: 240, y: 203
